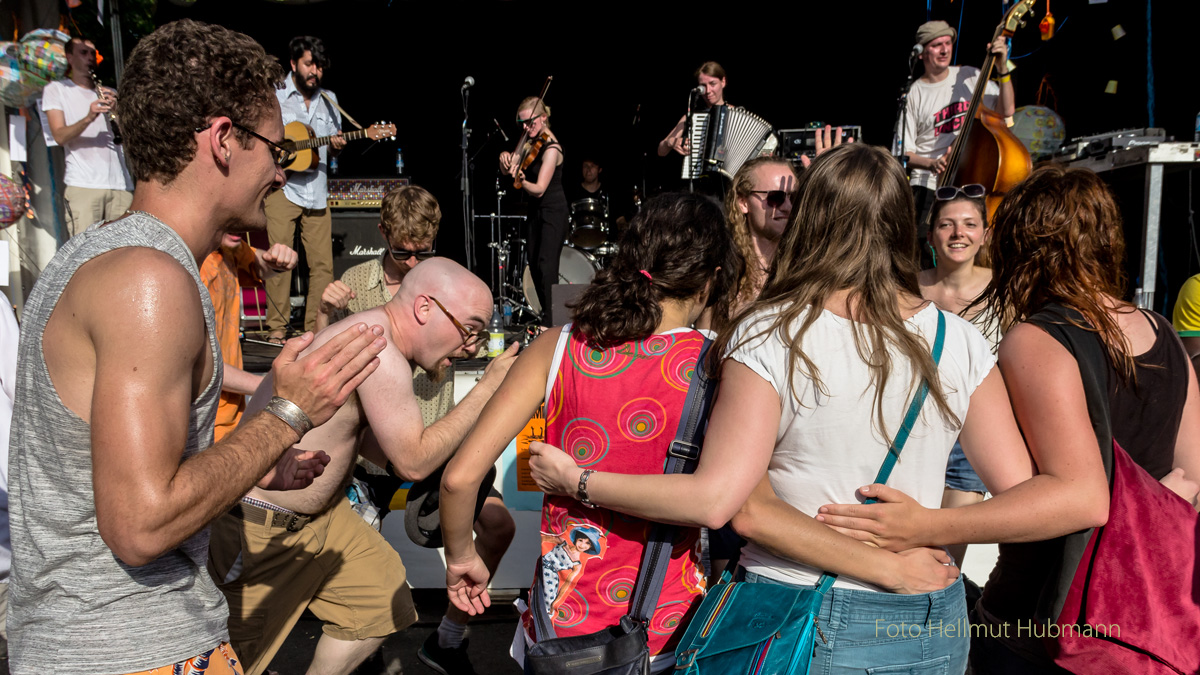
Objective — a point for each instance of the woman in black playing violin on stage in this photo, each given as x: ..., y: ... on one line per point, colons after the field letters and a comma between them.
x: 543, y: 182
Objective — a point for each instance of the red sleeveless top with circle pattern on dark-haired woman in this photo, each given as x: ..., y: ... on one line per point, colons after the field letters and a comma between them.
x: 616, y: 411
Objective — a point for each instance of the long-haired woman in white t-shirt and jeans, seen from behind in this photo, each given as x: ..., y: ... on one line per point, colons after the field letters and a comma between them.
x: 818, y: 378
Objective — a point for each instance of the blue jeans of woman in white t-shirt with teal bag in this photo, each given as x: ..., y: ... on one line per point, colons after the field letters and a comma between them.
x: 875, y: 632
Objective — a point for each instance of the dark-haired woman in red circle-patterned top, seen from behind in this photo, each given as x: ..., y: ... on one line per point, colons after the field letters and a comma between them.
x: 614, y: 385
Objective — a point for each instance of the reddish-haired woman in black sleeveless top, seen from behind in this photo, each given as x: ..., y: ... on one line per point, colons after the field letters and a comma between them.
x: 1058, y: 250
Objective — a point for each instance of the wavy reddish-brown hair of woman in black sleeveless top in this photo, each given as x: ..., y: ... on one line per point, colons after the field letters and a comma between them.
x: 1058, y: 238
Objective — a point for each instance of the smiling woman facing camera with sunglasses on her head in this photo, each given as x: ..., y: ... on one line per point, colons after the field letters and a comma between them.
x: 958, y: 231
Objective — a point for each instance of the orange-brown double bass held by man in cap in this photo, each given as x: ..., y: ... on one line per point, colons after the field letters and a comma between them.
x: 986, y: 152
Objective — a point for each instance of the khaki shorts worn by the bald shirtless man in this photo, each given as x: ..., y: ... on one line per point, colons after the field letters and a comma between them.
x: 338, y: 566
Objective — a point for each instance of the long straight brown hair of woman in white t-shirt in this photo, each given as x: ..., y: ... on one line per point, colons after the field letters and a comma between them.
x: 854, y: 228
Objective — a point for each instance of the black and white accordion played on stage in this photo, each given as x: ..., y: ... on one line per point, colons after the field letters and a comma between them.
x: 724, y: 139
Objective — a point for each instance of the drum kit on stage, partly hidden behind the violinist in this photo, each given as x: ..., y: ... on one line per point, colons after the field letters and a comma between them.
x: 590, y: 246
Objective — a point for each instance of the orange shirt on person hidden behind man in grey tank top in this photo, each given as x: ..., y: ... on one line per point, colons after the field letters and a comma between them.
x: 220, y: 273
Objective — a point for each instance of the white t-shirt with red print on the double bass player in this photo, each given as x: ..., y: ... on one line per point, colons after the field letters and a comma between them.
x: 937, y: 112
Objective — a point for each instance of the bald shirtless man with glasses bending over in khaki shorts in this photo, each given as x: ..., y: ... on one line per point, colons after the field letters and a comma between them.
x: 279, y: 553
